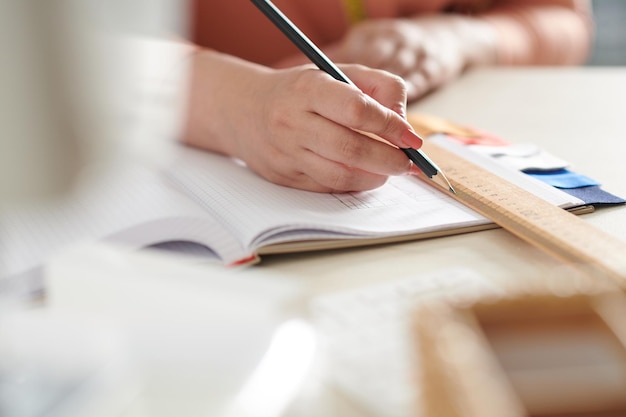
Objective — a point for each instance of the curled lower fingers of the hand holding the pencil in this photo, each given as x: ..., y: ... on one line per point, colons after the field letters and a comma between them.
x: 325, y: 156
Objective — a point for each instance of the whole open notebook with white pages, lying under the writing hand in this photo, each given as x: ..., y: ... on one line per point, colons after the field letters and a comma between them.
x: 218, y: 203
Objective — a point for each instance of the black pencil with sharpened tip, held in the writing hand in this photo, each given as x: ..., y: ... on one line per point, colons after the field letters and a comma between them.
x: 295, y: 35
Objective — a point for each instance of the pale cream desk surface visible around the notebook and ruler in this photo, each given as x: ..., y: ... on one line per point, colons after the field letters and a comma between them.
x: 575, y: 113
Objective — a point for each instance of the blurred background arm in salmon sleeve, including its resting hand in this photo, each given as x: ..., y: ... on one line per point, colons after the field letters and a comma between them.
x: 430, y: 50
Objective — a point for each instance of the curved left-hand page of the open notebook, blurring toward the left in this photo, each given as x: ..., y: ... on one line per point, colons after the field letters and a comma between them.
x: 128, y: 205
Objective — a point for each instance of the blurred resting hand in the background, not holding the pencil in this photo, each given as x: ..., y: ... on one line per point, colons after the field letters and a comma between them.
x: 427, y: 52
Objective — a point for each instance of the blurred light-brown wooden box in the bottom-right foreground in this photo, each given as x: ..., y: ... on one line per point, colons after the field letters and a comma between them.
x: 546, y: 353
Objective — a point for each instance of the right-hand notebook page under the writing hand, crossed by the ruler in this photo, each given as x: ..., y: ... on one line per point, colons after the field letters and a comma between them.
x: 258, y: 212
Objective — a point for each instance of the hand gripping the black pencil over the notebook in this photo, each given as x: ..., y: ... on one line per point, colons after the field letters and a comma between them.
x: 297, y: 126
